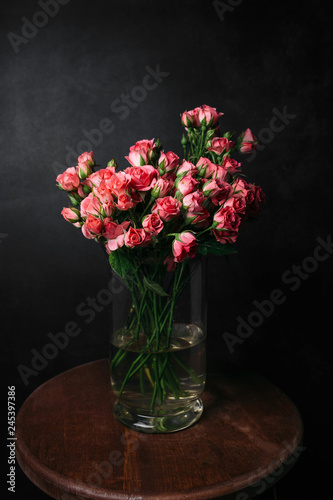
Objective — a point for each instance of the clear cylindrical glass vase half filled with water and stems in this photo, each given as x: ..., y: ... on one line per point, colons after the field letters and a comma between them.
x: 157, y: 345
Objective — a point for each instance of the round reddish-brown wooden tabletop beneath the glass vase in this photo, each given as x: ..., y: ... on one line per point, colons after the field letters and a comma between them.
x: 70, y: 445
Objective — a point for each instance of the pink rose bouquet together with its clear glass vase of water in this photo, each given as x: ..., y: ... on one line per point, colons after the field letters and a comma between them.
x: 157, y: 219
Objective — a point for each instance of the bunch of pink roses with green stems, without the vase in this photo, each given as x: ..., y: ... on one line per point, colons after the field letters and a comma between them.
x: 156, y: 215
